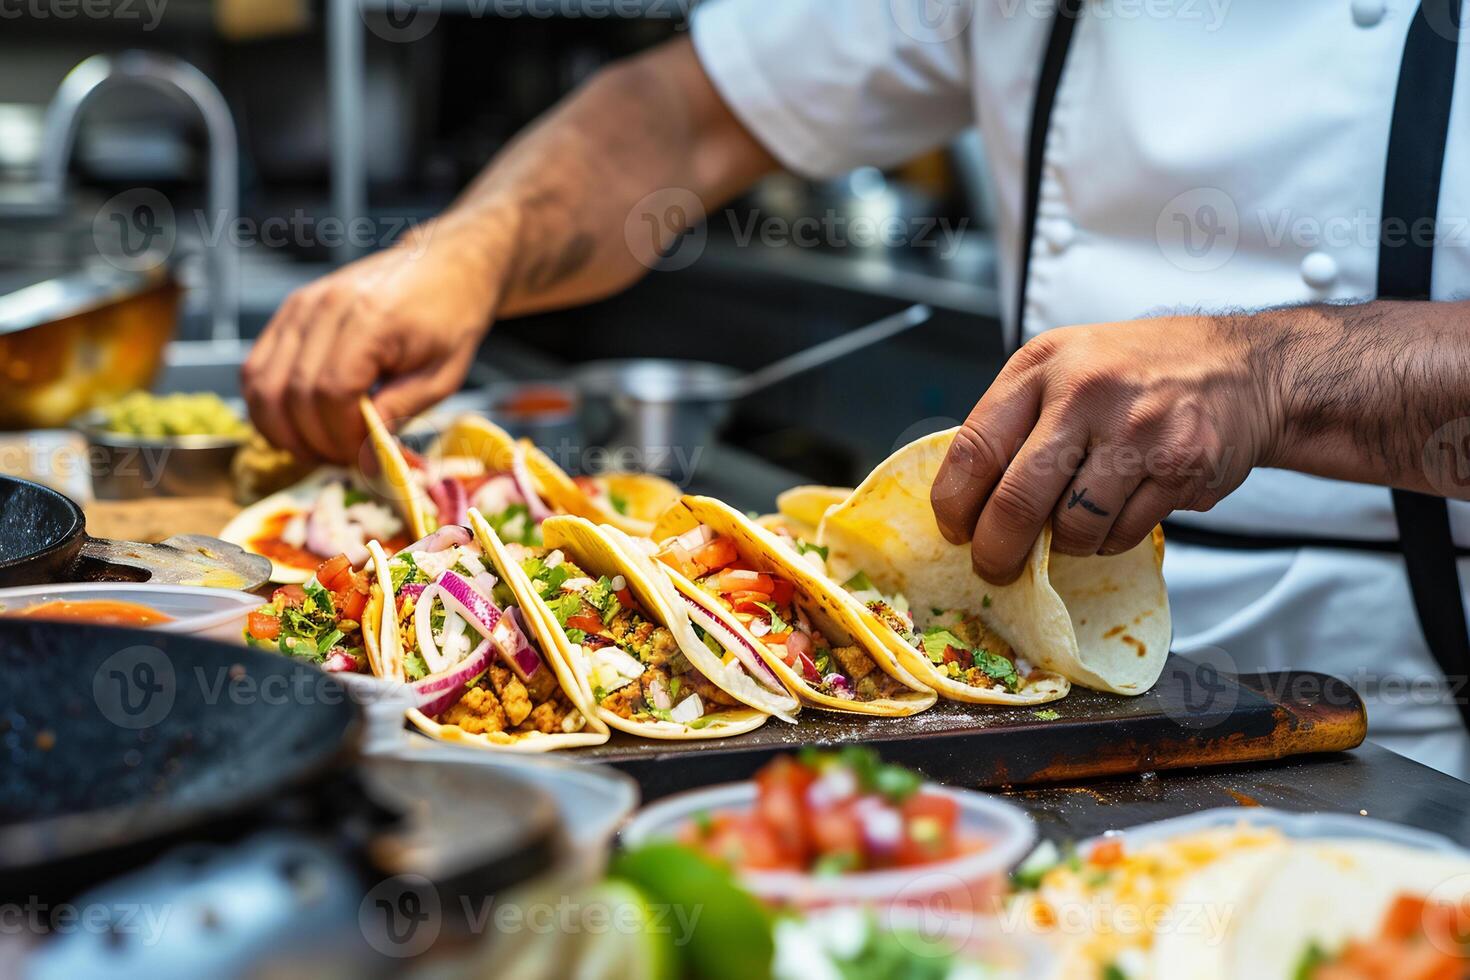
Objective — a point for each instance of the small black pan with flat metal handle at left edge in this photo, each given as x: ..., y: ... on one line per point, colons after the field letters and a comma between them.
x: 45, y: 540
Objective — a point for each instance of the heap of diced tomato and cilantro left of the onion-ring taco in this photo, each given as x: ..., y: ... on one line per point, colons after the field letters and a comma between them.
x: 320, y: 621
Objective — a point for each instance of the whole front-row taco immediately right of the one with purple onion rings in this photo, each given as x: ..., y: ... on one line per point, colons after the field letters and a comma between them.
x: 640, y: 659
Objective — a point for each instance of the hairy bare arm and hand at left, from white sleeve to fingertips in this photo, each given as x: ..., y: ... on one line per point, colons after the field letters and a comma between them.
x: 576, y: 209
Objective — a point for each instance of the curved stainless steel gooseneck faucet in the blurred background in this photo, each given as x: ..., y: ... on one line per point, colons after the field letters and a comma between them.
x: 170, y: 76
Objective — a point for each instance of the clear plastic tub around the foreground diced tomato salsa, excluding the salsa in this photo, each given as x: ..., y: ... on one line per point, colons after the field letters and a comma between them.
x: 971, y: 884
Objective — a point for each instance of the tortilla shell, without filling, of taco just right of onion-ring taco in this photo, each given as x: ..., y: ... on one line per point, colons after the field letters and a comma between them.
x: 596, y: 553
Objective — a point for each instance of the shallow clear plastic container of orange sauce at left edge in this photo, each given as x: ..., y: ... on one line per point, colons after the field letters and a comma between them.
x: 176, y: 609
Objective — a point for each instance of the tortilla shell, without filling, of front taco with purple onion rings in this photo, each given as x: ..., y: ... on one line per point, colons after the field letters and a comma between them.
x: 386, y: 659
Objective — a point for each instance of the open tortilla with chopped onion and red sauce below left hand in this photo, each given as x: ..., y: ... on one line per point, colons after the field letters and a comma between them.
x: 331, y: 512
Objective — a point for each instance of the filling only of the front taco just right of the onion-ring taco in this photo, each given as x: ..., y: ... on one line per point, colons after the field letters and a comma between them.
x: 636, y: 666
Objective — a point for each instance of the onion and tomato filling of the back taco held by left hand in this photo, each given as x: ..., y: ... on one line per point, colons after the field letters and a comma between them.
x: 508, y: 500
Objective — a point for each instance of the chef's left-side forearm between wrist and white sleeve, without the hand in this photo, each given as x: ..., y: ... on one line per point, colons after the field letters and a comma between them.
x: 551, y: 217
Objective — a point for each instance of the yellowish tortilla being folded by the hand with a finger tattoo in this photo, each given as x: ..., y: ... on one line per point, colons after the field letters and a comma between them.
x: 1099, y: 622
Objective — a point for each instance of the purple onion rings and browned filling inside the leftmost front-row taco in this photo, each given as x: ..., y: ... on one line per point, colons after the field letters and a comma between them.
x: 468, y: 650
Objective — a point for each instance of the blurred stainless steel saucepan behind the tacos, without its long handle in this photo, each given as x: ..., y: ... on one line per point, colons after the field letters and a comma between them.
x: 667, y: 412
